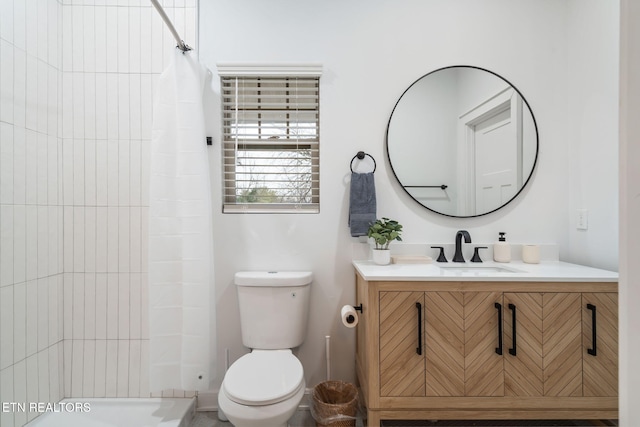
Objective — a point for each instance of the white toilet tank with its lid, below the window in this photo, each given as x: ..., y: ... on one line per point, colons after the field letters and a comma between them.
x: 274, y: 308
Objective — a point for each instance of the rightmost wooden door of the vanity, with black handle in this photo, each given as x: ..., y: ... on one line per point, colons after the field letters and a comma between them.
x: 600, y: 372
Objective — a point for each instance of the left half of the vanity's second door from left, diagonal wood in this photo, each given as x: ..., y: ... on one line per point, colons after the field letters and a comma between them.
x: 444, y: 345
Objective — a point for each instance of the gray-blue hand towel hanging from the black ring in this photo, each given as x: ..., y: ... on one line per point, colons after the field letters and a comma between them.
x: 362, y: 203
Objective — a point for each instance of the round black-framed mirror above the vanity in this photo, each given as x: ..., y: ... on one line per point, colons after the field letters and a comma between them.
x: 462, y: 141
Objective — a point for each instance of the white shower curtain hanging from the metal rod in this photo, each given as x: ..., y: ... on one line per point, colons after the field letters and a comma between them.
x: 180, y: 238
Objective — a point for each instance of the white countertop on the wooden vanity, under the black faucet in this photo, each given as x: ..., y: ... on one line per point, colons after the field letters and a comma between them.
x: 516, y: 271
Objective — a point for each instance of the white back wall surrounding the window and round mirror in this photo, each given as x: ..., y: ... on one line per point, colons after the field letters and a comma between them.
x: 371, y: 51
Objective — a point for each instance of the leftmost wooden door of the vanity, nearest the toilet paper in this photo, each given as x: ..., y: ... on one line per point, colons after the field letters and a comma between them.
x: 402, y: 369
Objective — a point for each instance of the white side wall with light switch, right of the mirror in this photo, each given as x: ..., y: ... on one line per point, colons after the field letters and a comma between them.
x: 592, y: 58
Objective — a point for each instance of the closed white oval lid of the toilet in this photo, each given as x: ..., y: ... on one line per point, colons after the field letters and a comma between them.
x: 264, y: 377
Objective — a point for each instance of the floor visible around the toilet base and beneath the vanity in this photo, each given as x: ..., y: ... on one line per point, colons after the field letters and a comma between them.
x: 303, y: 418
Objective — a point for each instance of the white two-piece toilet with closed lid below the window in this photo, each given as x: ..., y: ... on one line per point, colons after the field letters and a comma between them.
x: 264, y: 387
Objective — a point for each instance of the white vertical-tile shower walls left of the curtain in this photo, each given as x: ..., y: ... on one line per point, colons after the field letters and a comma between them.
x: 76, y: 94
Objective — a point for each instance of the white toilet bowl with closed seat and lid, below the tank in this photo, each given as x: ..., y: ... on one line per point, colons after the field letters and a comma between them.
x: 262, y: 389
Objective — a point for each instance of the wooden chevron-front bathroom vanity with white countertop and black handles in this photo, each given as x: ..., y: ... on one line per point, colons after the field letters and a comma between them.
x: 512, y: 341
